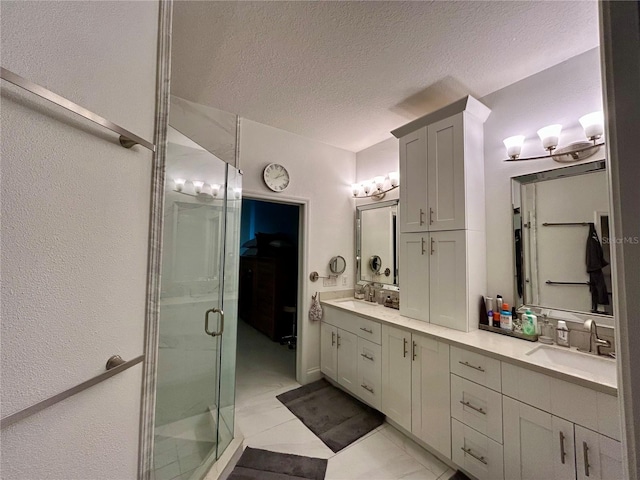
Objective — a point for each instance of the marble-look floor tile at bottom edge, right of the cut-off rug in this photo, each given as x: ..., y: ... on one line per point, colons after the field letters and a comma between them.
x: 376, y: 457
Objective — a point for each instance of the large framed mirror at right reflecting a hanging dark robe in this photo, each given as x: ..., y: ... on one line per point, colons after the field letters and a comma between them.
x: 561, y: 239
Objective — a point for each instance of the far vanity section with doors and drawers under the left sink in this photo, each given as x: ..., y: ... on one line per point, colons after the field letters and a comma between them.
x: 350, y: 353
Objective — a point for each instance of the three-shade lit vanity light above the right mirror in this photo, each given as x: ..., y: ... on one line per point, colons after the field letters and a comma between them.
x: 593, y: 125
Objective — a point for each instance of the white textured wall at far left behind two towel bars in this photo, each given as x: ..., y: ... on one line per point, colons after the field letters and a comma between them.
x: 75, y: 221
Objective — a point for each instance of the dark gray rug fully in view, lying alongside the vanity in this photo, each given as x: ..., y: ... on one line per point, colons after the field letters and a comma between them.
x: 334, y: 416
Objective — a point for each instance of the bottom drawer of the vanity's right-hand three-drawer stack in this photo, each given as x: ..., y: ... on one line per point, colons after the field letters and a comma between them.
x: 476, y: 453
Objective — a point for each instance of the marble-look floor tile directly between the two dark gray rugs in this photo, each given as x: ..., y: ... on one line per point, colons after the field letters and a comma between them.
x: 290, y: 437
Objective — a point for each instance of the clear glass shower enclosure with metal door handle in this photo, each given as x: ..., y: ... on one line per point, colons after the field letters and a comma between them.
x: 196, y: 368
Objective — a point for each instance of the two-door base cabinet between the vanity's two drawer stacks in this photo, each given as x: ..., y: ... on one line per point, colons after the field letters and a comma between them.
x: 415, y: 386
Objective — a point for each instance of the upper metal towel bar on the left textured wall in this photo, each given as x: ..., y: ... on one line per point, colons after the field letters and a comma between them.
x: 127, y: 139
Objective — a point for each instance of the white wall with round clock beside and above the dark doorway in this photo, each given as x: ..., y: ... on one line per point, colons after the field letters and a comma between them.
x: 321, y: 175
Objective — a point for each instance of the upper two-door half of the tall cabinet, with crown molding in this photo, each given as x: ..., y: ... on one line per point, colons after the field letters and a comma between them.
x: 442, y: 169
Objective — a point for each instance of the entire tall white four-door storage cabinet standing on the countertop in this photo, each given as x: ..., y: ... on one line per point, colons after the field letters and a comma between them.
x: 442, y: 215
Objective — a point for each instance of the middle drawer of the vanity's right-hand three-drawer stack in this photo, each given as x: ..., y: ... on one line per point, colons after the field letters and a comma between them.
x: 477, y: 407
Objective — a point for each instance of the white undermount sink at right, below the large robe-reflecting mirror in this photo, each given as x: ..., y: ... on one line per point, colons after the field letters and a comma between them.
x: 583, y: 362
